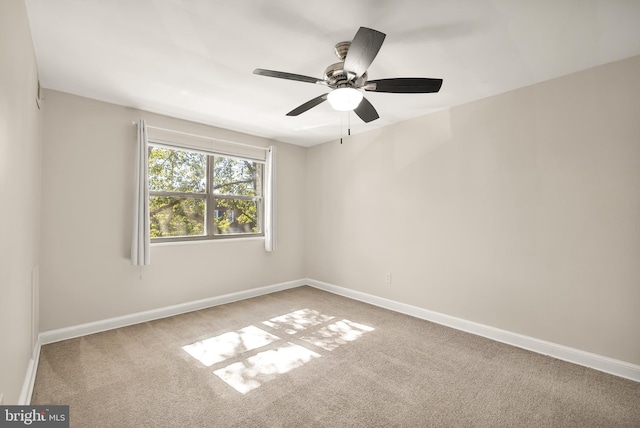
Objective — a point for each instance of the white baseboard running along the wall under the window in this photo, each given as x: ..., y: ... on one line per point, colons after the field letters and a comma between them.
x: 65, y: 333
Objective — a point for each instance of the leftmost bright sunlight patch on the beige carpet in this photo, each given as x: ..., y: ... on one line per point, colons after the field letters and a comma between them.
x: 219, y: 348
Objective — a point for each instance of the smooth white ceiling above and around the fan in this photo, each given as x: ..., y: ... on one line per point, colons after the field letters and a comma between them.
x: 193, y: 59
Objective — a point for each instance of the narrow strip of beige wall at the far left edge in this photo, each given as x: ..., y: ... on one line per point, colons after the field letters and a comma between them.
x: 20, y: 125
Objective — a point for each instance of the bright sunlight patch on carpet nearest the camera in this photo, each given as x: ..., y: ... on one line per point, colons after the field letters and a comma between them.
x: 249, y: 374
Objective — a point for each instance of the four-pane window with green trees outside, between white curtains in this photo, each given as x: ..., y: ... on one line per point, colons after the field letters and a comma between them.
x: 195, y: 195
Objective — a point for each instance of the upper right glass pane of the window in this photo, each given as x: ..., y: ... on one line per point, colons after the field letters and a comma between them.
x: 236, y: 177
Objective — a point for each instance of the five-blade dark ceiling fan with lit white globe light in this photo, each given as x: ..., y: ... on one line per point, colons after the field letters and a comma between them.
x: 349, y: 76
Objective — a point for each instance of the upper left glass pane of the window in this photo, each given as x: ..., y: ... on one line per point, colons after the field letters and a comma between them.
x: 176, y: 170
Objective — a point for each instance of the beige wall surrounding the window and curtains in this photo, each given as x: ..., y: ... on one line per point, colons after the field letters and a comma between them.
x: 86, y: 273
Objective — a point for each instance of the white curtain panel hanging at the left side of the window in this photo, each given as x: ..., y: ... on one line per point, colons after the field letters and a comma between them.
x: 140, y: 244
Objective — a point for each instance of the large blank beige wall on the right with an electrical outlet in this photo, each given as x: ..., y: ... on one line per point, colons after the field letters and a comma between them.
x: 519, y: 211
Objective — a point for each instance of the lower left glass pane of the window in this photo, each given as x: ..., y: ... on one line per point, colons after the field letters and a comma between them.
x: 173, y: 216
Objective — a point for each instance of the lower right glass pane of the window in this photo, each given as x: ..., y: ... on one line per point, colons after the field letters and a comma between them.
x: 236, y: 216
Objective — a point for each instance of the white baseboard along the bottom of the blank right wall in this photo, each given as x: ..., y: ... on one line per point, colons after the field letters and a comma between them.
x: 572, y: 355
